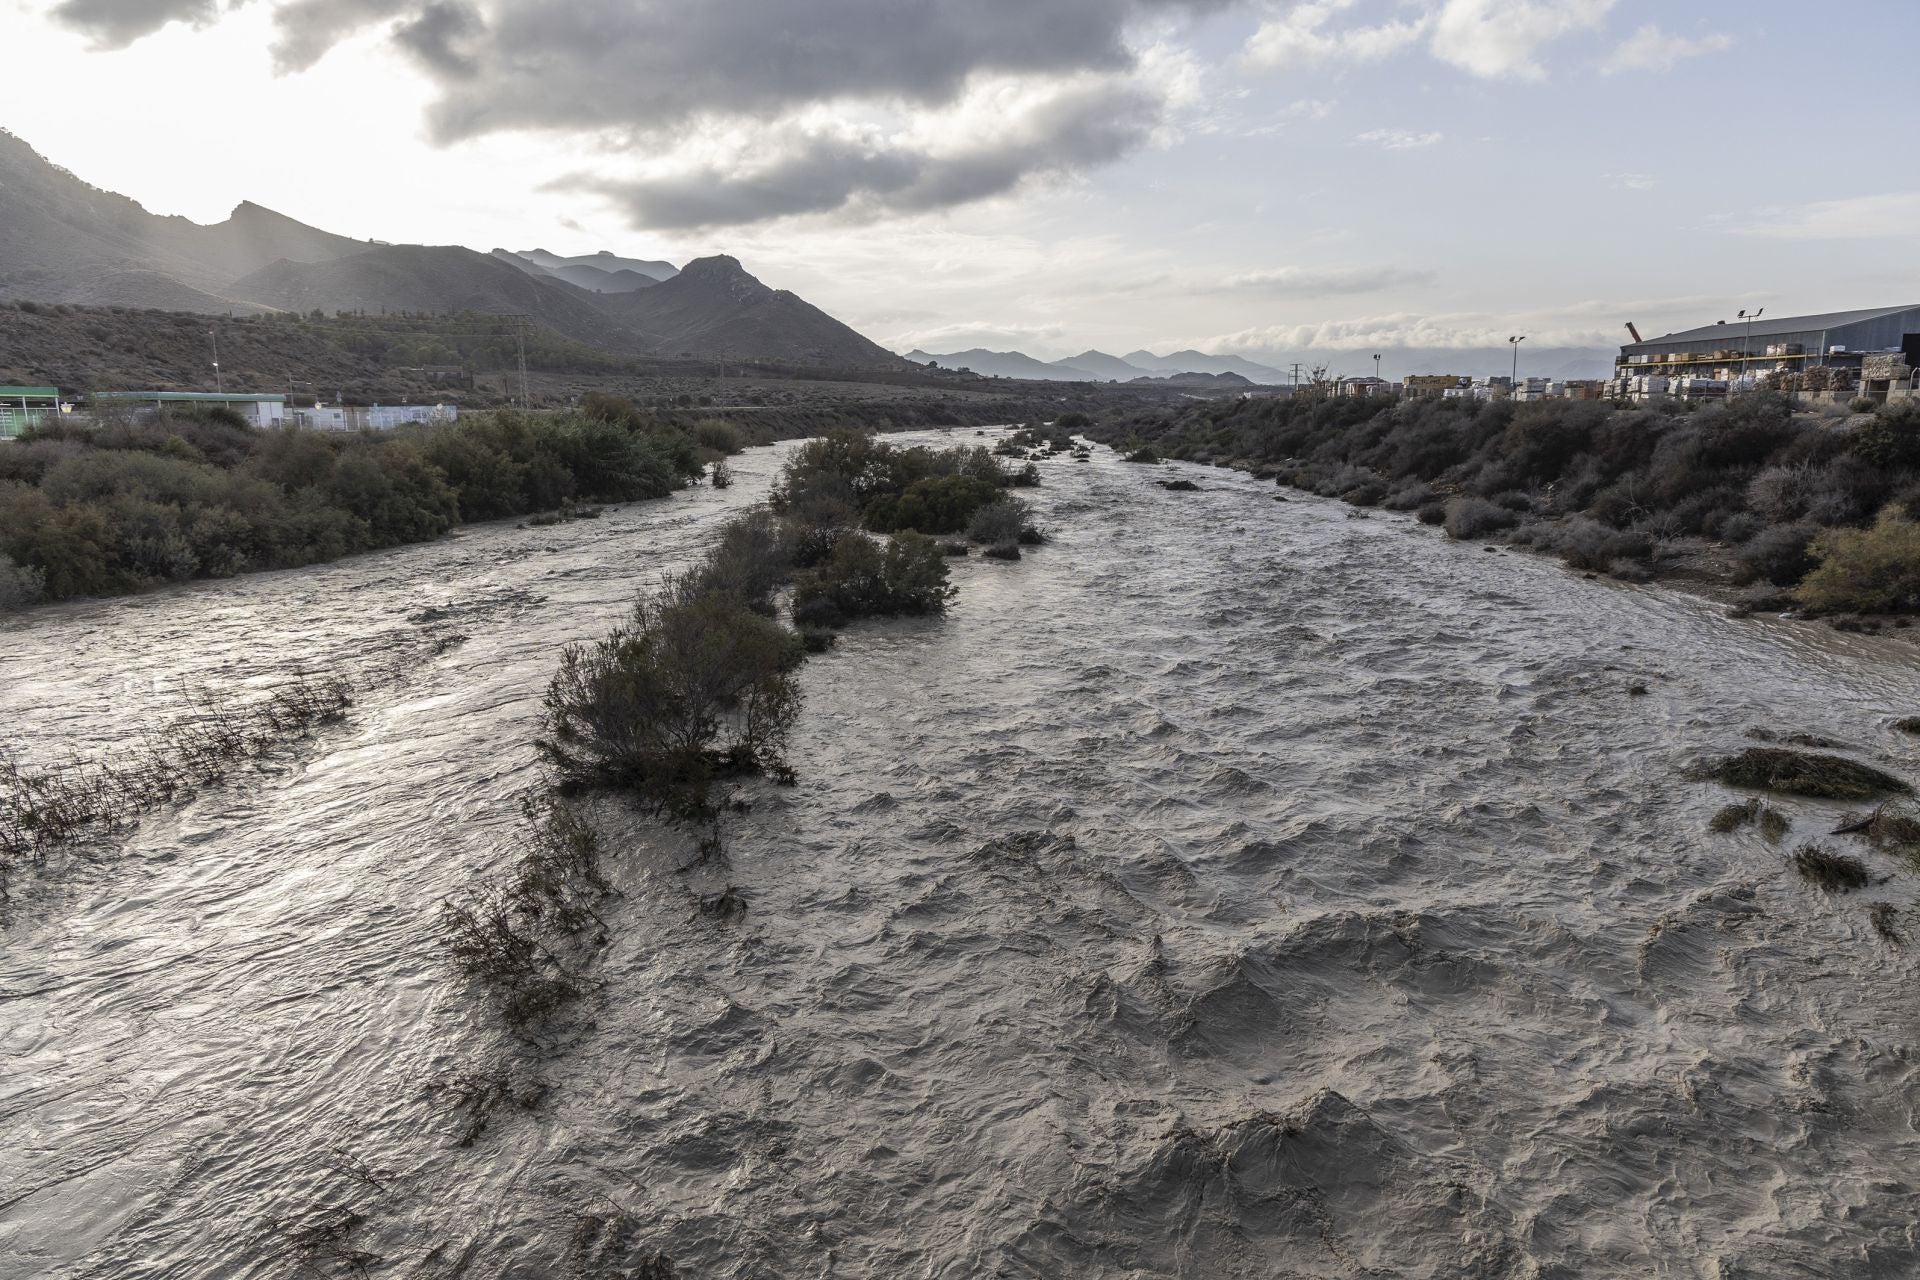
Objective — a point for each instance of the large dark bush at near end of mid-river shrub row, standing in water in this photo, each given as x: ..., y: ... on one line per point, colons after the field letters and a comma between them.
x: 694, y: 688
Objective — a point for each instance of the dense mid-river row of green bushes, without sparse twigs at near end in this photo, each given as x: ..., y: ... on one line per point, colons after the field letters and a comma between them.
x: 698, y: 684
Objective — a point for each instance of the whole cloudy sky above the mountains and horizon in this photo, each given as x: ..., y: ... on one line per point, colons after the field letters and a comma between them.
x: 1264, y: 176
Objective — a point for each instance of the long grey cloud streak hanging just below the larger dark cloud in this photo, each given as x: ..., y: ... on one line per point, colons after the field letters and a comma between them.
x: 1076, y: 131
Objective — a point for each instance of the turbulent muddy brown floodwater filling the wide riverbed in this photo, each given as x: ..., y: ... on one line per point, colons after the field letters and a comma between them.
x: 1228, y: 889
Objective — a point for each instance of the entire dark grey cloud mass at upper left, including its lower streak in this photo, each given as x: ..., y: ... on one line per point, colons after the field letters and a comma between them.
x: 650, y: 70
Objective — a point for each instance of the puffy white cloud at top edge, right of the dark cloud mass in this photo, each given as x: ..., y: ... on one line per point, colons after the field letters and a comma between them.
x: 1491, y: 39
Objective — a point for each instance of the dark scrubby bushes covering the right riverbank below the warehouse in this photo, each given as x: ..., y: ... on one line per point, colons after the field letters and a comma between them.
x: 1813, y: 511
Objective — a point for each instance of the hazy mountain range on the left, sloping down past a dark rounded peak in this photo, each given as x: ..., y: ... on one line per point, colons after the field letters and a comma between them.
x: 68, y: 243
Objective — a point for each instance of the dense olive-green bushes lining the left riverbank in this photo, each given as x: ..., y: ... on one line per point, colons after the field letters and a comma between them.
x: 172, y: 498
